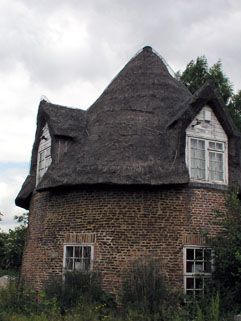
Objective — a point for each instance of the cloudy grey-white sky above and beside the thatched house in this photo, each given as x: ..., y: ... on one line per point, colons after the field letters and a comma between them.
x: 70, y: 50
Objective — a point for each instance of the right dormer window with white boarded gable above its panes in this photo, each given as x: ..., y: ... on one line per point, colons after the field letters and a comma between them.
x: 206, y: 149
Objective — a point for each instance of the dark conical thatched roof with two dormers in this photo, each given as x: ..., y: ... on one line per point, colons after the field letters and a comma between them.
x: 133, y: 134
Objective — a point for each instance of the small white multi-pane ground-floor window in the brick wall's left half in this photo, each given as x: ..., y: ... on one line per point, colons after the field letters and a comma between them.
x: 78, y: 257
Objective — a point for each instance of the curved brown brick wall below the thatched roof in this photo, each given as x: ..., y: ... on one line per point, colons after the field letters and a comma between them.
x: 123, y: 223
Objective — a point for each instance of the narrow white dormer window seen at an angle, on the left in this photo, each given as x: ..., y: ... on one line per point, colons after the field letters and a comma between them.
x: 44, y: 153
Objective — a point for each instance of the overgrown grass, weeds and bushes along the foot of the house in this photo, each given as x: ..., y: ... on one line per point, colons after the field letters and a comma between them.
x: 145, y: 297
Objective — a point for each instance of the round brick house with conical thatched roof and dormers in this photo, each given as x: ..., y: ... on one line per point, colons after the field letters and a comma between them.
x: 138, y: 173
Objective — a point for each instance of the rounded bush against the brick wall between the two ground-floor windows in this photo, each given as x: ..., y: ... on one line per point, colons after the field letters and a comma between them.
x: 144, y: 286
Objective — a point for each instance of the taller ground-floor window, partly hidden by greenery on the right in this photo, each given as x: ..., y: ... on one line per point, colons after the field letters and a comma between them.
x: 198, y: 265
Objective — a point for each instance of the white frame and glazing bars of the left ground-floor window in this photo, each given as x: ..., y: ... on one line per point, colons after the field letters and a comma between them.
x: 74, y: 258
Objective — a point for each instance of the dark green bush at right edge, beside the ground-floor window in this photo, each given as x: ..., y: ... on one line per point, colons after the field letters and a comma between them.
x: 227, y: 249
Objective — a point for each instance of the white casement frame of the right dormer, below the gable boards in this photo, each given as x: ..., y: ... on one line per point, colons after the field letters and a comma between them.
x: 207, y: 149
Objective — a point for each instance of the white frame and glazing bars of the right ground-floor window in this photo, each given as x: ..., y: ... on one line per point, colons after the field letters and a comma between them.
x: 199, y: 276
